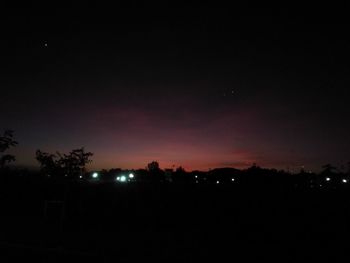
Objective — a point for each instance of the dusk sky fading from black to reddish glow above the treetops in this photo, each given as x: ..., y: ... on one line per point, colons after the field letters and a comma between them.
x: 200, y: 86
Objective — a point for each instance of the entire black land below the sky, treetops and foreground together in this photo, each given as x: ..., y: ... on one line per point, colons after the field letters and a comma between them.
x: 64, y: 212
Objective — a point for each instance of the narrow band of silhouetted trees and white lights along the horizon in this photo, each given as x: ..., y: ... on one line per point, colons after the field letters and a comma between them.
x: 72, y: 166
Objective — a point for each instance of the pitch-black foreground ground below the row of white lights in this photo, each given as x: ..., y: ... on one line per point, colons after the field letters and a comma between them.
x: 171, y: 223
